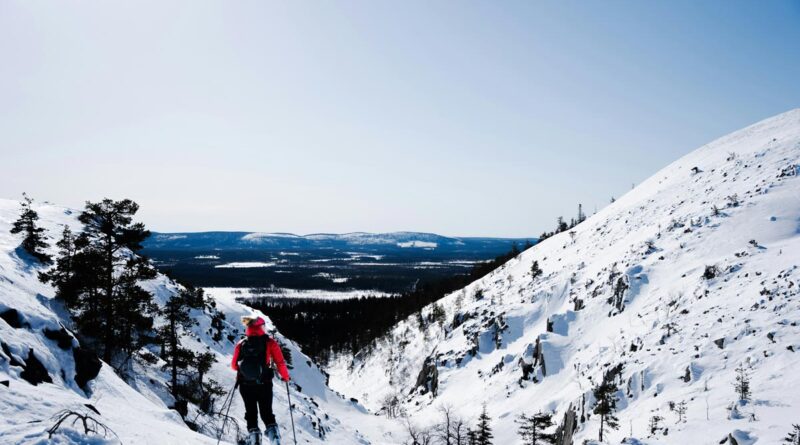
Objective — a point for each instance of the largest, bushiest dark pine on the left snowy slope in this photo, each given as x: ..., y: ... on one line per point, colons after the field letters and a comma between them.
x: 97, y: 274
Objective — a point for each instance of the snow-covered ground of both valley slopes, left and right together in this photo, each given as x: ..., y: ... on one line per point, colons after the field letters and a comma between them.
x: 663, y: 294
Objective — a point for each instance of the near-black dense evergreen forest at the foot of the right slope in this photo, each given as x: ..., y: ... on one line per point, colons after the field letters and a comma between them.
x: 327, y: 327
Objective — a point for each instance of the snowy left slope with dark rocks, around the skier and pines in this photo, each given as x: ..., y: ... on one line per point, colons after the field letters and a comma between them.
x: 36, y: 349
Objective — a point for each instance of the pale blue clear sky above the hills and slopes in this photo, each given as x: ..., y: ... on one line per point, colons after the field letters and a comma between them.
x: 457, y: 117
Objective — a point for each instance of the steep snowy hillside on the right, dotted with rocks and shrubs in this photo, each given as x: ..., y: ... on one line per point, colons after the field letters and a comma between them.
x: 665, y: 293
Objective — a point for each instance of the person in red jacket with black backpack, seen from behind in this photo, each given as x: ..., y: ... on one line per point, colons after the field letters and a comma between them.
x: 253, y: 358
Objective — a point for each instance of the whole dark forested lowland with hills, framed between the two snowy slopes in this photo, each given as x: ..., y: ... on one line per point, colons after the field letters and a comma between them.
x: 332, y: 294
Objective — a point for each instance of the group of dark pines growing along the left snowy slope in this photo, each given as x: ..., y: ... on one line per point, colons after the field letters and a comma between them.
x: 97, y: 274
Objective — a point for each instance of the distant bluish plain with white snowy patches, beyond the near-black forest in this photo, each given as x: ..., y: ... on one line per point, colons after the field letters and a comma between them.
x: 392, y: 264
